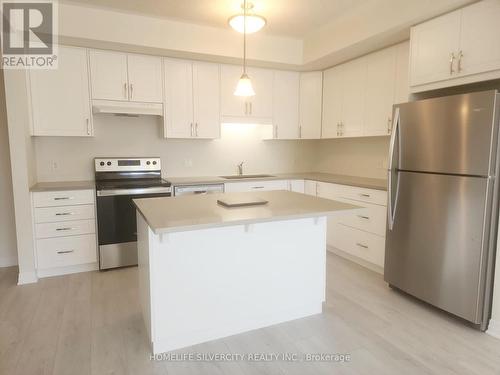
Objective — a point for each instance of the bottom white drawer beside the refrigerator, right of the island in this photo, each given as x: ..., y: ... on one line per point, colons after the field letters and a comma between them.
x: 364, y: 245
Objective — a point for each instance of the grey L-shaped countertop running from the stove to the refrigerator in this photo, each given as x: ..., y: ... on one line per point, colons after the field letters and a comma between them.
x: 364, y: 182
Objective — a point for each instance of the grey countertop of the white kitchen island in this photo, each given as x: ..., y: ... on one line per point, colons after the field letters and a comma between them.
x: 192, y: 212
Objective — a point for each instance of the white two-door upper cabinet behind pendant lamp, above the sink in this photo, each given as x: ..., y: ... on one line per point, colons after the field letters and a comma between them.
x: 256, y: 109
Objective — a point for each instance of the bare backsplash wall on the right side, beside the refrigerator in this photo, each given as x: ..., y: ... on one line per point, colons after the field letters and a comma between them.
x: 365, y: 157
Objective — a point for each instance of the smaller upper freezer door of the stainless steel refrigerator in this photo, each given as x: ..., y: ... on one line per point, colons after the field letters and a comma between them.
x: 448, y: 135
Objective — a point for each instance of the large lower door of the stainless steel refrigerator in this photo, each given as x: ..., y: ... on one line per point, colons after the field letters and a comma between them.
x: 435, y: 247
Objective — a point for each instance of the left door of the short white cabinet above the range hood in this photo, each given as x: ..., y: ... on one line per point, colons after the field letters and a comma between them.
x: 108, y: 72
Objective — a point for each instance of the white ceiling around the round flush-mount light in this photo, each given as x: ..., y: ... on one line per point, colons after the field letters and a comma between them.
x: 292, y: 18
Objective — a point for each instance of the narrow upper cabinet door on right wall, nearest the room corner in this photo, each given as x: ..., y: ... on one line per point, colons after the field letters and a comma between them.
x: 332, y: 102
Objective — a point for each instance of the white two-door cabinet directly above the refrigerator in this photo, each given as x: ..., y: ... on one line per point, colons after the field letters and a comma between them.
x: 458, y: 48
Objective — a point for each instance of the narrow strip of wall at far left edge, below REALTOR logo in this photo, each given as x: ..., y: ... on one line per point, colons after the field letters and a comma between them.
x: 8, y: 251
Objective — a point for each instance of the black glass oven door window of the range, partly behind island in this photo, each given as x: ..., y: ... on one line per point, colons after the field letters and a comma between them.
x: 116, y: 218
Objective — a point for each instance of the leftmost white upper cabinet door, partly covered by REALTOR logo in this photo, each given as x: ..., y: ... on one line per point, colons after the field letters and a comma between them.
x: 54, y: 111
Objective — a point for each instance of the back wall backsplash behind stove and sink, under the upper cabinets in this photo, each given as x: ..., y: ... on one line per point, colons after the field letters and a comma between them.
x: 125, y: 136
